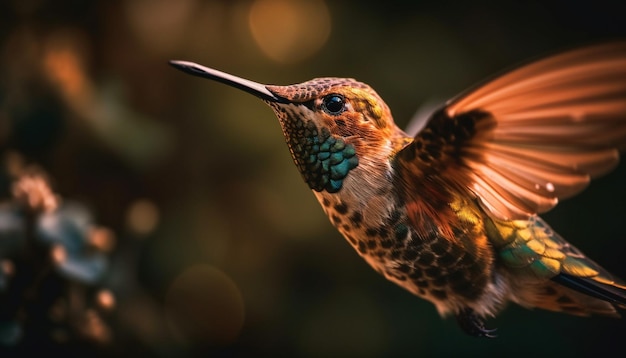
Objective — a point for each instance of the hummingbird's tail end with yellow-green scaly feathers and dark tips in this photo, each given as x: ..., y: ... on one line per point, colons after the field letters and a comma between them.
x: 555, y: 275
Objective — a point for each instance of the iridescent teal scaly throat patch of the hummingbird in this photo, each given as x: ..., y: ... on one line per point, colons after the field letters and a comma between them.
x: 323, y: 160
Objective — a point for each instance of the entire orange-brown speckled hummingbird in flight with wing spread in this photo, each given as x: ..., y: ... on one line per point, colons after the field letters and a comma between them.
x: 451, y: 213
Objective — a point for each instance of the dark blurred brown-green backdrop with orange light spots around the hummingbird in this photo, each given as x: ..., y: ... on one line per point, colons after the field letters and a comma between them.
x: 220, y: 248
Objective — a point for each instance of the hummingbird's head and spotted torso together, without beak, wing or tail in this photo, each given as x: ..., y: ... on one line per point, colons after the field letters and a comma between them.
x: 369, y: 210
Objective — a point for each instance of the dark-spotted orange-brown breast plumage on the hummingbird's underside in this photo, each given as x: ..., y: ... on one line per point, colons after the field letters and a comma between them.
x: 431, y: 267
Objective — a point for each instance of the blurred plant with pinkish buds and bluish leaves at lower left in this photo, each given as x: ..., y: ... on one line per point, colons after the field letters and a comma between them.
x: 52, y: 258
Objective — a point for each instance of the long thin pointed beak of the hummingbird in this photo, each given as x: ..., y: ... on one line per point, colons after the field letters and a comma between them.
x: 251, y: 87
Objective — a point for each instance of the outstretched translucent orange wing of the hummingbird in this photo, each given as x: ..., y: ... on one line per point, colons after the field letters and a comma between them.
x: 532, y: 136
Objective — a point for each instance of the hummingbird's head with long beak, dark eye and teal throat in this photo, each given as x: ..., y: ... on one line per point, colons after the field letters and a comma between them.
x: 332, y: 126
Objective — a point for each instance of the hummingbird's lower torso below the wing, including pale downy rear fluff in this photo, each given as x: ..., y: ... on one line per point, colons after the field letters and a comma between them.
x: 453, y: 275
